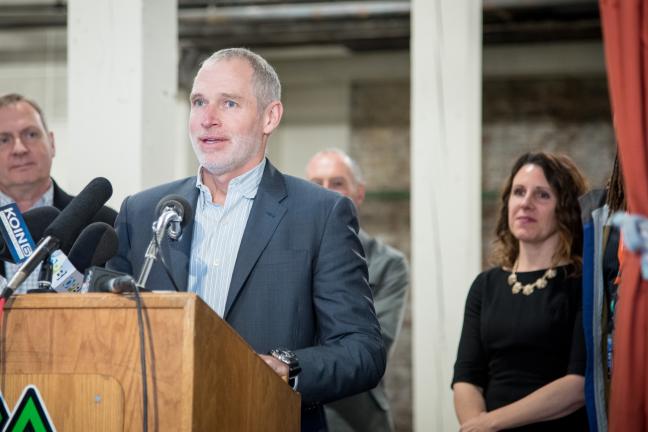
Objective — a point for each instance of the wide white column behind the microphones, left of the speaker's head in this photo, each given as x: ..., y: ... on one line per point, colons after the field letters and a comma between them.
x: 122, y: 81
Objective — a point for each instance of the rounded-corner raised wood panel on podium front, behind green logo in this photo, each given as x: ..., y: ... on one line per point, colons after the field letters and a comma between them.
x: 74, y: 402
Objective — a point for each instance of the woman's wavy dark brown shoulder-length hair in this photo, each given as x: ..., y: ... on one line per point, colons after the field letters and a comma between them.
x: 568, y: 183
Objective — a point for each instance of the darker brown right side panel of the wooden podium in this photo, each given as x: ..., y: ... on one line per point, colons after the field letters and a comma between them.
x: 236, y: 399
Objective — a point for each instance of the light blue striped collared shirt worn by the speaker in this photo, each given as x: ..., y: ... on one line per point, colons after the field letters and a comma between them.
x: 218, y: 230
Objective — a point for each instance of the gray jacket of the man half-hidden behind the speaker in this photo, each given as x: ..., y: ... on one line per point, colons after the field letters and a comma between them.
x: 389, y: 280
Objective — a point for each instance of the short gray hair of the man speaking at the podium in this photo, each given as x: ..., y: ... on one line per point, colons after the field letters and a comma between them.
x: 267, y: 86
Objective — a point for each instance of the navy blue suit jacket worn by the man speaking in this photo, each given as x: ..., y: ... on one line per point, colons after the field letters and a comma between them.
x: 299, y: 282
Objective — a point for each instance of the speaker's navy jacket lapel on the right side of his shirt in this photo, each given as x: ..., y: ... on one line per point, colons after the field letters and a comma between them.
x: 267, y: 211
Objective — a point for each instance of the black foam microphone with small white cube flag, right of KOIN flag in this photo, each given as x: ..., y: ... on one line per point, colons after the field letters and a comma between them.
x: 96, y: 244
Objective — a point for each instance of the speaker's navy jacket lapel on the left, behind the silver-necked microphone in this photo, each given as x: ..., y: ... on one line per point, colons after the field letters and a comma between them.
x: 180, y: 251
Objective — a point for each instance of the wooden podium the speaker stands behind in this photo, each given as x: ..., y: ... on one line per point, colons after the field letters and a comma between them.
x: 82, y: 353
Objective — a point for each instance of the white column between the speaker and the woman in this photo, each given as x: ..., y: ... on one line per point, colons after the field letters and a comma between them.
x: 446, y: 202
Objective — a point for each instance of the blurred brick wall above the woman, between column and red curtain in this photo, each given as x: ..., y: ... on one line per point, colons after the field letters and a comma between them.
x: 569, y: 115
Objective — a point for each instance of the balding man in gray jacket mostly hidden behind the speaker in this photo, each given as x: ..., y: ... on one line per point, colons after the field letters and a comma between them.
x: 388, y: 278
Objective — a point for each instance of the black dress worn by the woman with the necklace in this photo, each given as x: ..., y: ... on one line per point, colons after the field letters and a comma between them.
x: 513, y: 344
